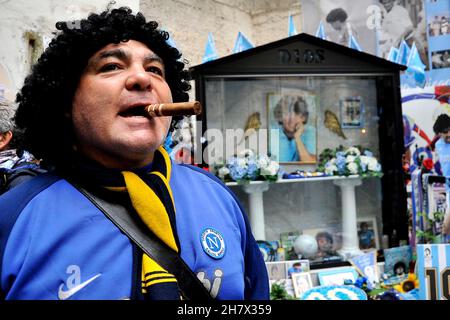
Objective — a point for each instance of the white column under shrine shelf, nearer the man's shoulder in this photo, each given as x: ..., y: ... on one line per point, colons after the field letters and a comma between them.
x: 256, y: 208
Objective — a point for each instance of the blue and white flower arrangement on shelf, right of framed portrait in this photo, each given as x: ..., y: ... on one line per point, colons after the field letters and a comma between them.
x: 351, y: 161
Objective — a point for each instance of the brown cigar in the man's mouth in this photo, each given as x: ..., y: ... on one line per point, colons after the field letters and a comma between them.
x: 174, y: 109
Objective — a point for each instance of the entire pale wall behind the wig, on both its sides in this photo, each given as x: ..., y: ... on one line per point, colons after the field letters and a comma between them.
x: 188, y: 22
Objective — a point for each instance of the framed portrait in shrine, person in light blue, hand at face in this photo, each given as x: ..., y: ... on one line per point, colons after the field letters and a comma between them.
x: 292, y: 124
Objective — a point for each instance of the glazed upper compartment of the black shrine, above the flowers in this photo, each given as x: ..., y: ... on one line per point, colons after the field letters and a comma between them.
x: 335, y: 110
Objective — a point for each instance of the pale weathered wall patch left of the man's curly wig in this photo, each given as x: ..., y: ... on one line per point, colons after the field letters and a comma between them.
x: 24, y: 20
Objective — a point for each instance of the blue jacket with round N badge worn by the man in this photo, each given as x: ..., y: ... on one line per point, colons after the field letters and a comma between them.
x: 55, y: 244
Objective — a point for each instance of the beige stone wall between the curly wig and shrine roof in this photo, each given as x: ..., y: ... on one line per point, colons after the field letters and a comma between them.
x: 190, y: 21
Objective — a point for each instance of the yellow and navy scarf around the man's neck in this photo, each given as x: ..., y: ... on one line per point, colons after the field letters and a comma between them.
x: 152, y: 199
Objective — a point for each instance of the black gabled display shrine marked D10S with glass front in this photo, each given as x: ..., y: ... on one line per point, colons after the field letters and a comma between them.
x: 293, y: 99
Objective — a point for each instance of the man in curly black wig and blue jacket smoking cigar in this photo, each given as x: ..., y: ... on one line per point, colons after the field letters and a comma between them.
x: 82, y: 109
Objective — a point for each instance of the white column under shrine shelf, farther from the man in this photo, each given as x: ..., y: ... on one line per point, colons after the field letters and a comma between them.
x: 350, y: 241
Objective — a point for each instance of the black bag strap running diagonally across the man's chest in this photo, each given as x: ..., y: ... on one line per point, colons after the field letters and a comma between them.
x: 190, y: 286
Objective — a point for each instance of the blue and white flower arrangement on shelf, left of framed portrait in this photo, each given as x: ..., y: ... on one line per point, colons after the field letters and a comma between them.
x: 247, y: 166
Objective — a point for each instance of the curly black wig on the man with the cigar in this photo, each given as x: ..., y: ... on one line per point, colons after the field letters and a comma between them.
x: 46, y: 96
